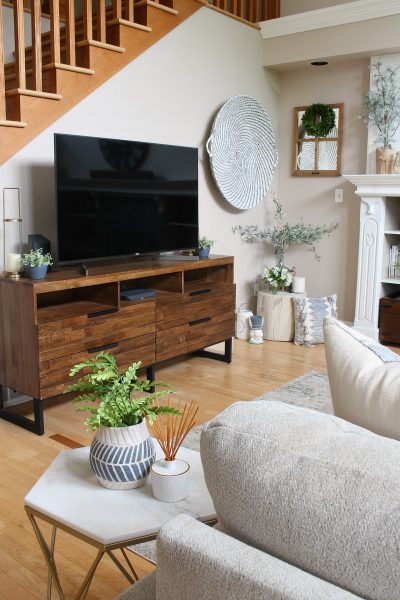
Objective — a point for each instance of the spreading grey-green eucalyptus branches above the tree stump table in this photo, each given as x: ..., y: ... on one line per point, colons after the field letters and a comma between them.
x: 282, y: 234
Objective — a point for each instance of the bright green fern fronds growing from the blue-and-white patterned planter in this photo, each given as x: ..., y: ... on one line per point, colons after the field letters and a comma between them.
x: 107, y: 394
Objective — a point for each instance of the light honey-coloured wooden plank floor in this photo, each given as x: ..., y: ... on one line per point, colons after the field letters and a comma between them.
x: 24, y: 456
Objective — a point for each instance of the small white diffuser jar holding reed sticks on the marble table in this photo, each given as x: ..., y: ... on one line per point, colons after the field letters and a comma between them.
x: 170, y: 480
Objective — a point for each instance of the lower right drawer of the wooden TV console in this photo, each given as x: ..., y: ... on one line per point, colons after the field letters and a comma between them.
x: 194, y: 335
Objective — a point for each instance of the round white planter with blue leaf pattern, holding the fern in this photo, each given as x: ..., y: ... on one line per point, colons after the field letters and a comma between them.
x: 121, y: 457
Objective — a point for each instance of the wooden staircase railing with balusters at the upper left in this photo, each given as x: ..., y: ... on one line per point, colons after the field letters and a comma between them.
x: 57, y: 45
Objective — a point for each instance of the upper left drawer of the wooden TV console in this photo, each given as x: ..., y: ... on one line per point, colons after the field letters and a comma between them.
x: 70, y: 336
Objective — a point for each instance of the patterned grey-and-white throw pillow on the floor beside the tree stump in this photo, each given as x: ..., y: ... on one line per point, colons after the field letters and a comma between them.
x: 309, y: 315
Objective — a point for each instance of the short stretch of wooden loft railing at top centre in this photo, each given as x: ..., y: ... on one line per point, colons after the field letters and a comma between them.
x: 252, y: 11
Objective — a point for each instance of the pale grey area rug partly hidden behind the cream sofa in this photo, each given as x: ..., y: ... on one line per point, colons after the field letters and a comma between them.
x: 310, y: 390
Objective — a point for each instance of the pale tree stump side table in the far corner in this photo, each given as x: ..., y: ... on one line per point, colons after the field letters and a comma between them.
x: 278, y: 312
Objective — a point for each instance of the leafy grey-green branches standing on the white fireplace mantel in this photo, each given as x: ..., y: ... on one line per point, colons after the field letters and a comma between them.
x: 382, y: 103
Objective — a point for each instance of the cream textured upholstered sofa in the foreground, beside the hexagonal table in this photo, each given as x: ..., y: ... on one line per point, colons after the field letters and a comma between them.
x: 308, y: 507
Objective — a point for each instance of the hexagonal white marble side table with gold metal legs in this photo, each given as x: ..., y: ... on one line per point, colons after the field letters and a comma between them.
x: 68, y: 497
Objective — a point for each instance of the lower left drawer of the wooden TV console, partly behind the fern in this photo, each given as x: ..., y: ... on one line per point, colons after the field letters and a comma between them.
x: 54, y: 374
